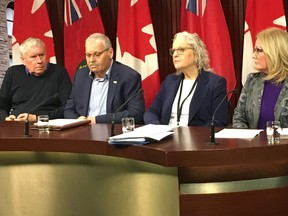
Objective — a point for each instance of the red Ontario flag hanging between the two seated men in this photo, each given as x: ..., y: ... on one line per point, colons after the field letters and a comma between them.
x: 81, y: 18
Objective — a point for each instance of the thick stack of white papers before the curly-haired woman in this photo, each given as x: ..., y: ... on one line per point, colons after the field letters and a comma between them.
x: 142, y: 135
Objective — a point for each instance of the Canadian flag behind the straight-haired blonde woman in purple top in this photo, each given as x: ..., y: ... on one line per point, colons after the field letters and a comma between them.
x: 259, y: 15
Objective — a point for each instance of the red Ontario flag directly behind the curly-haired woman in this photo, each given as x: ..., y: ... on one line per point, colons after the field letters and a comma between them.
x: 206, y: 18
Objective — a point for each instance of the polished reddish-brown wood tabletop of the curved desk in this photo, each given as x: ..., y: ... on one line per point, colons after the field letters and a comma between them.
x: 188, y: 146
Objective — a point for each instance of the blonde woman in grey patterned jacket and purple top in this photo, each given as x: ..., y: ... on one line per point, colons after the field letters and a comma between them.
x: 264, y: 96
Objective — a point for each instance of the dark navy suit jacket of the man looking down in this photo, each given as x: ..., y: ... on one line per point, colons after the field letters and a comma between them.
x: 123, y: 83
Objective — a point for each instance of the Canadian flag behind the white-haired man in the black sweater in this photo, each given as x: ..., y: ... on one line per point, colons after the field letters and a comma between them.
x: 31, y: 20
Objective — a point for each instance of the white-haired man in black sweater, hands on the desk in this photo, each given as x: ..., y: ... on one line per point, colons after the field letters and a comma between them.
x: 35, y: 87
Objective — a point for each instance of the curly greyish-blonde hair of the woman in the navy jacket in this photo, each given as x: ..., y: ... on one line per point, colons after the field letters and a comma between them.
x: 198, y: 48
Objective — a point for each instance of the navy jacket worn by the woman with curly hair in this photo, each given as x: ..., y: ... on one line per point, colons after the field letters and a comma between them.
x: 210, y: 90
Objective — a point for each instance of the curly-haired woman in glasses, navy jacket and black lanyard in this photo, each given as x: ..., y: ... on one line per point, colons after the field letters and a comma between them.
x: 191, y: 95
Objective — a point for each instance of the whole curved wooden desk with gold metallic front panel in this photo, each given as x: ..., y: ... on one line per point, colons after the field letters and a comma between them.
x: 76, y: 172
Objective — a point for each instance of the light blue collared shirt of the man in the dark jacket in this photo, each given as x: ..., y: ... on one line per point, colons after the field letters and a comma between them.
x: 99, y: 94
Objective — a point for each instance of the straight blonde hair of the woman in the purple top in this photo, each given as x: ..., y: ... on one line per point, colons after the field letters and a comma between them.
x: 274, y: 42
